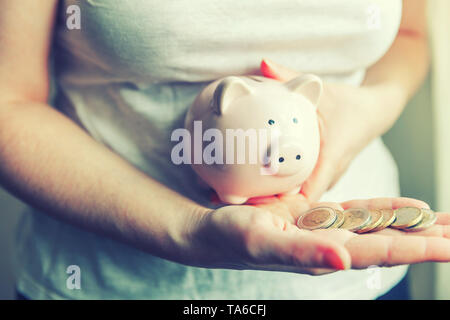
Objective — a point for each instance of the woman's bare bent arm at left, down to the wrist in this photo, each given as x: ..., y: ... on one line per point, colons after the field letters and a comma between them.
x: 49, y: 162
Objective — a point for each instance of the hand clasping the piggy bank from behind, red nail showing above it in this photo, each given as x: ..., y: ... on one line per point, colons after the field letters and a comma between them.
x: 349, y: 118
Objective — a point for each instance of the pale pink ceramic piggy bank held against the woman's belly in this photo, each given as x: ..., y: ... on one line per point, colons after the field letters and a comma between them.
x: 272, y: 125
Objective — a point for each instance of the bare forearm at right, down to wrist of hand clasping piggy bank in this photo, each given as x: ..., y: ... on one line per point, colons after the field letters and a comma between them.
x: 396, y: 77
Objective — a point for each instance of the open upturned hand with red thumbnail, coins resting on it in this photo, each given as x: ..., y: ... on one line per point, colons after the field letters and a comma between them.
x: 265, y: 237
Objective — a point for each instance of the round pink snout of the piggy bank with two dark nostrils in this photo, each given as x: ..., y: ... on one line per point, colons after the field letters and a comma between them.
x: 286, y: 159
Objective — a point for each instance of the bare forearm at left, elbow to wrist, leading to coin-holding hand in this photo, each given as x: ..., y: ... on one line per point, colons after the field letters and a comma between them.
x: 49, y: 162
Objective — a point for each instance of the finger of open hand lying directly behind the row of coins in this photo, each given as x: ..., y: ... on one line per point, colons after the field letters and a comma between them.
x: 385, y: 203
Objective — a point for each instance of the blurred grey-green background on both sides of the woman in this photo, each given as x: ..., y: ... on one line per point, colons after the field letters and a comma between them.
x: 419, y: 142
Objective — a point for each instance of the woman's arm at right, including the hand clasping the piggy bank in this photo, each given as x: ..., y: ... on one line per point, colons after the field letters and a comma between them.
x: 351, y: 116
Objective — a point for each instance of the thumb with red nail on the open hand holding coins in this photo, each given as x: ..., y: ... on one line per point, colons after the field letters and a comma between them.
x: 265, y: 239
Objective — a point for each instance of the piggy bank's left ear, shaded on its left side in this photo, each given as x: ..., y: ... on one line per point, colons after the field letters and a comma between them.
x: 228, y: 90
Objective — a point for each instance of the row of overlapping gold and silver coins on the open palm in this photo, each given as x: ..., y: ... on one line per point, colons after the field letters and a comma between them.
x: 361, y: 220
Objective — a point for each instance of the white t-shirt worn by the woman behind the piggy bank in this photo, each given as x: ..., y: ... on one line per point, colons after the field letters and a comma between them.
x: 129, y: 75
